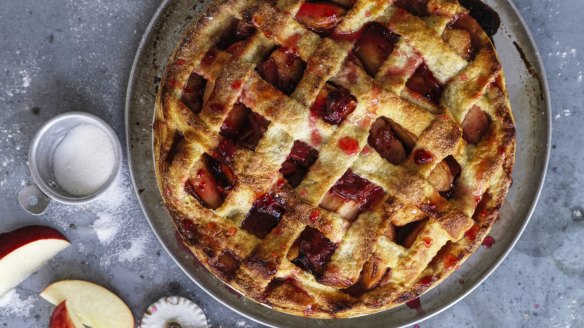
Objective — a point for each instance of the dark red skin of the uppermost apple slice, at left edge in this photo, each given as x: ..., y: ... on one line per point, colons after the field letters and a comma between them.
x: 15, y: 239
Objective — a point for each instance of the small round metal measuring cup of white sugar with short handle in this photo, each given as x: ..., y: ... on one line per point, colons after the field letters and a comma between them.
x: 73, y: 159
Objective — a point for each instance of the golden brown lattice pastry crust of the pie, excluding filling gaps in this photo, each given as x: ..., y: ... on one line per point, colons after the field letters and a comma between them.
x: 366, y: 250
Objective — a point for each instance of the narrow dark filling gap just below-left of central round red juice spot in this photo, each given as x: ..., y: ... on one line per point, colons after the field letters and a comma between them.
x: 301, y: 157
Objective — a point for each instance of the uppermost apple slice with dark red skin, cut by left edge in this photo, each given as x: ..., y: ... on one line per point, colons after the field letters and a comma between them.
x: 24, y: 251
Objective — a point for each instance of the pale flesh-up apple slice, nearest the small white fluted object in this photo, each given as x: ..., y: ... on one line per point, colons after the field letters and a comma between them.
x: 96, y: 306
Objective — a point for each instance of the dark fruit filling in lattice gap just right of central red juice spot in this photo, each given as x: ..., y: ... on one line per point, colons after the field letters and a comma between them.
x: 390, y: 140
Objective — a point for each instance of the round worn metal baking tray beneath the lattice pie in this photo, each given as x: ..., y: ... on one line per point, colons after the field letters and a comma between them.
x: 530, y: 101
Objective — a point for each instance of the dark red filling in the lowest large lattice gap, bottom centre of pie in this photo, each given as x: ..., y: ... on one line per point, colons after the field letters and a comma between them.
x: 312, y: 251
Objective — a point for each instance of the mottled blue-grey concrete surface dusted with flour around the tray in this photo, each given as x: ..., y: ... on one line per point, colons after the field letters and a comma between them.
x: 63, y: 55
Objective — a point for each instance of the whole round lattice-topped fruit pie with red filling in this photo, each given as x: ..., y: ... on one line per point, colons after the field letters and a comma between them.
x: 333, y: 159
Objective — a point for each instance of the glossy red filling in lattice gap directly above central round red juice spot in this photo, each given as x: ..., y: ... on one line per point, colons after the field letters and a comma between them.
x: 333, y: 104
